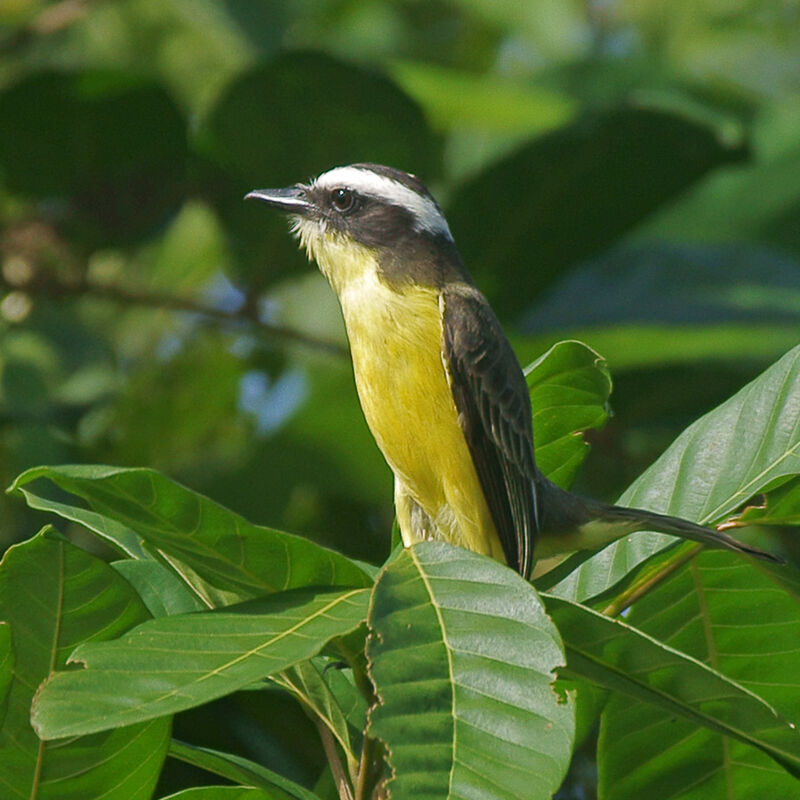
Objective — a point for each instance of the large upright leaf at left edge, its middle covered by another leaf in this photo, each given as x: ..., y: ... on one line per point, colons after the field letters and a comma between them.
x: 56, y: 596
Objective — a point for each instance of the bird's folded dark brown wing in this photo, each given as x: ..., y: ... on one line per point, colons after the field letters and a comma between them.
x: 495, y: 414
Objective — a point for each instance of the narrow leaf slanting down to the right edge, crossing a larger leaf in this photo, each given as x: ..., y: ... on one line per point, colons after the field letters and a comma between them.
x: 619, y: 657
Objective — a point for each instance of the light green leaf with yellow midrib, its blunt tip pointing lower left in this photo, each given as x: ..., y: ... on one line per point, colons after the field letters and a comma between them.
x: 174, y: 663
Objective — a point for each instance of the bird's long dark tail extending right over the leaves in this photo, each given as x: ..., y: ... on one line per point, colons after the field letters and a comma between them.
x: 581, y: 523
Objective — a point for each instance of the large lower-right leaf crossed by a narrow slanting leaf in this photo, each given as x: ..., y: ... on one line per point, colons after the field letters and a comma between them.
x: 719, y: 610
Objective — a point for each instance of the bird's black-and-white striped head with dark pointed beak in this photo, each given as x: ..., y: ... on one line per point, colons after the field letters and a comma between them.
x: 364, y: 215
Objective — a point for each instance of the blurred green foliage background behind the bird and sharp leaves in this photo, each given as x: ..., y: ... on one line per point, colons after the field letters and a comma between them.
x: 624, y: 172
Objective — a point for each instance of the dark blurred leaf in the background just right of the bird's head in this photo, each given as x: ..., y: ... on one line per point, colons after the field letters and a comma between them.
x: 547, y: 206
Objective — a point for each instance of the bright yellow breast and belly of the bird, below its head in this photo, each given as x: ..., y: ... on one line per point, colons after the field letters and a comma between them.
x: 396, y: 345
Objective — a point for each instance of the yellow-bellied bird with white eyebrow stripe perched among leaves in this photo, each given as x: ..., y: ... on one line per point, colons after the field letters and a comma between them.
x: 439, y: 384
